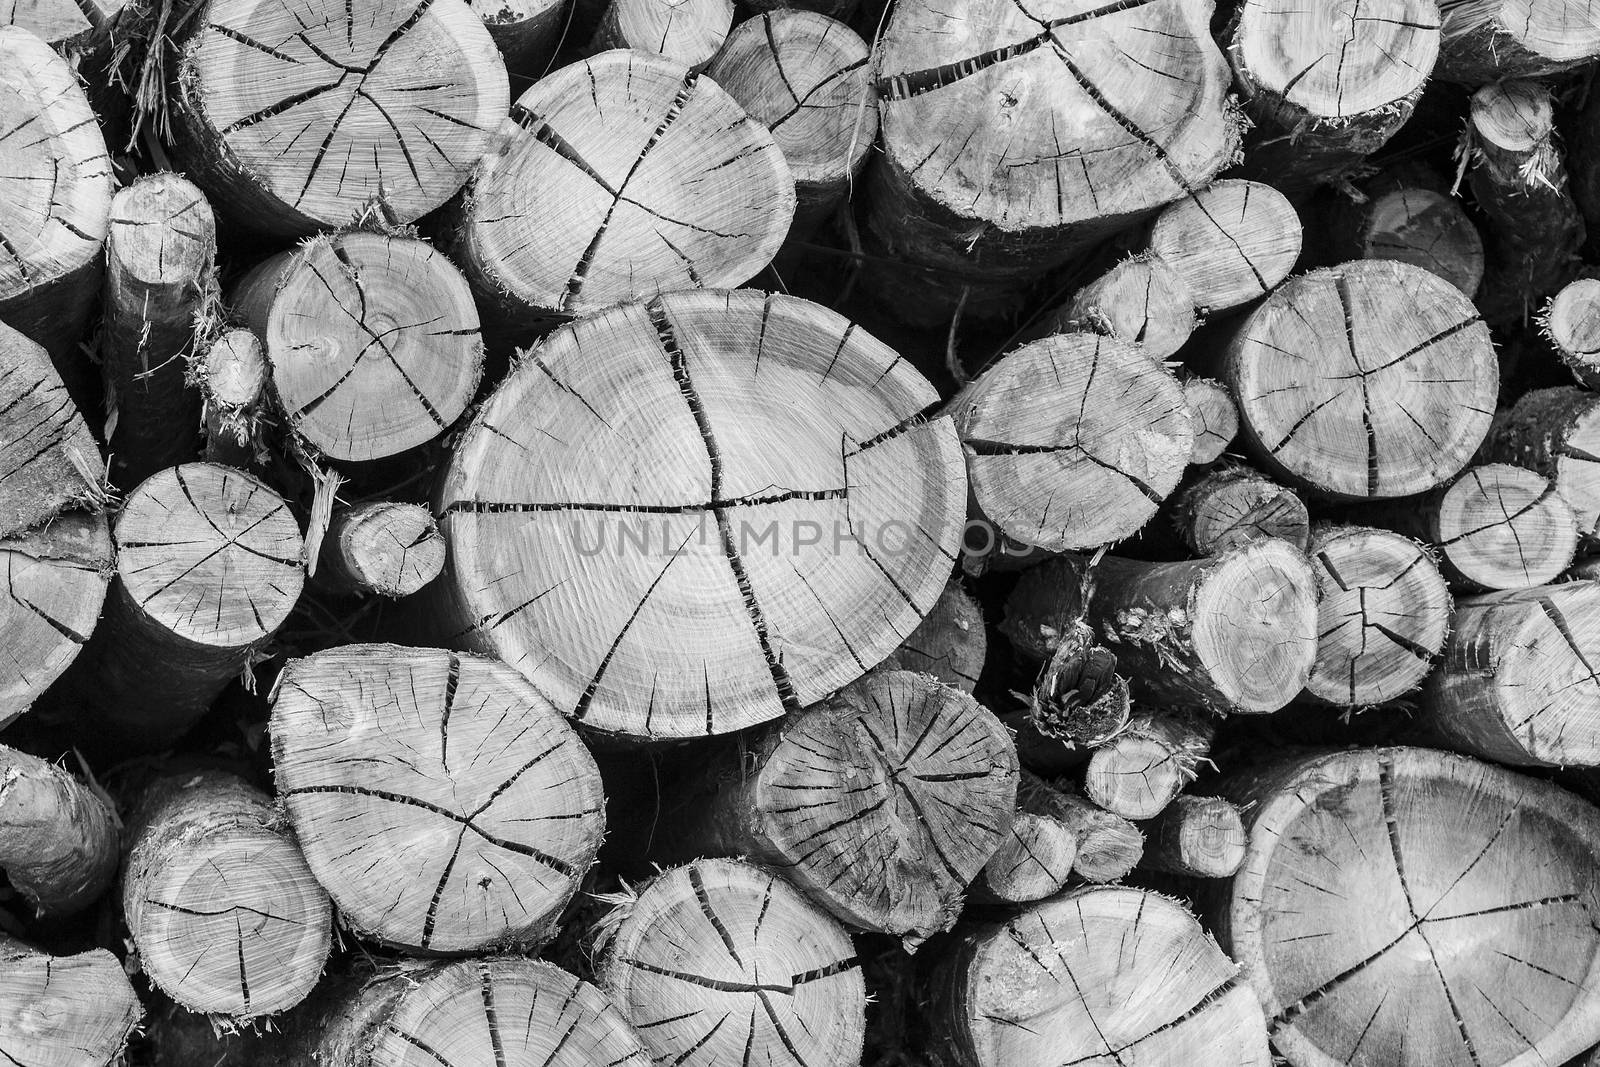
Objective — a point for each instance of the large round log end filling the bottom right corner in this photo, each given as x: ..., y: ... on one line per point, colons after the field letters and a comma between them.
x: 1406, y: 906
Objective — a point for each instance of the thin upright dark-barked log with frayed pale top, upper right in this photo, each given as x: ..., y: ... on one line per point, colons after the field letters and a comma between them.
x: 1521, y: 185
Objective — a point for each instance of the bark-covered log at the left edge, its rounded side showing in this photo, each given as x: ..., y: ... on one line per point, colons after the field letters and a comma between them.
x: 58, y: 837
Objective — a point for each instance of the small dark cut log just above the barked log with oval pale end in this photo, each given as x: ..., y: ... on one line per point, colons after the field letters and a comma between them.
x: 1234, y: 506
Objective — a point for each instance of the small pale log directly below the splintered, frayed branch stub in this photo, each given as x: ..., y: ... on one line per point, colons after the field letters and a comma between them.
x: 1143, y: 769
